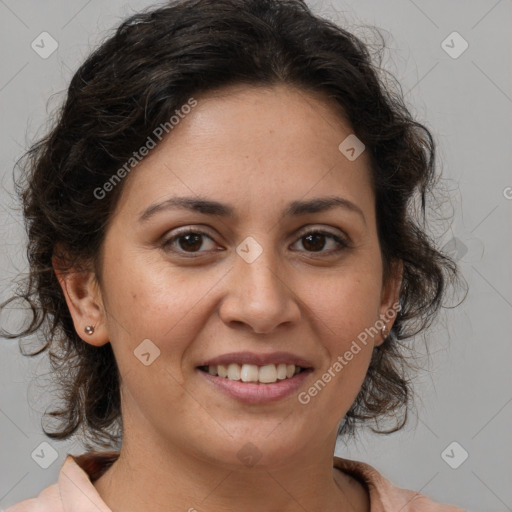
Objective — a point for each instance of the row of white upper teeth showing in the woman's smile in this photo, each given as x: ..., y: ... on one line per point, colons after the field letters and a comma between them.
x: 266, y: 374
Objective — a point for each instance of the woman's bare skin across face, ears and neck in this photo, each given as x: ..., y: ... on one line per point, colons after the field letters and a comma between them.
x: 257, y: 149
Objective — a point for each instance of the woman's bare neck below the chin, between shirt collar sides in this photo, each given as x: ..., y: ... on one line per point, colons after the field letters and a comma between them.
x: 147, y: 476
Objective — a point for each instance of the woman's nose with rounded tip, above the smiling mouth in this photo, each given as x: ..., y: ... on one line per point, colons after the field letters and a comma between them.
x: 260, y: 295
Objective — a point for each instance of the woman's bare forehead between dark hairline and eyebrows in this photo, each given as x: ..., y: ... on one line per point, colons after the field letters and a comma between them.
x: 253, y: 147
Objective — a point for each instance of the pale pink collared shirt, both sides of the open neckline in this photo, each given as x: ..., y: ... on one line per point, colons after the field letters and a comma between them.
x: 74, y: 491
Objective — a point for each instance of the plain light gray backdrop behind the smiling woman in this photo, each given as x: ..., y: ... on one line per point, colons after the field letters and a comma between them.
x: 465, y: 390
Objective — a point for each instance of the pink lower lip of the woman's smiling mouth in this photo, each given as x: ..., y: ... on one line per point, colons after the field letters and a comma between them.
x: 256, y: 393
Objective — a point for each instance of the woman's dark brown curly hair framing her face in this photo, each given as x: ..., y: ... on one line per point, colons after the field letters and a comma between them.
x: 133, y: 82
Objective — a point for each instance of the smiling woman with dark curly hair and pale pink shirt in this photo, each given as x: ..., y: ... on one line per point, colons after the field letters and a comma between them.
x: 223, y: 248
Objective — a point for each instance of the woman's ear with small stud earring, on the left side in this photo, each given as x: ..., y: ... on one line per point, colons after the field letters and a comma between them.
x: 83, y: 297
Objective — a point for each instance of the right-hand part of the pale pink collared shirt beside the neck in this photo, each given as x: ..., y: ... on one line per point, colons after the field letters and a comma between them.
x: 384, y: 496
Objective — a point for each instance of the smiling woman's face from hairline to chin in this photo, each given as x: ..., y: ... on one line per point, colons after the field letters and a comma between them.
x: 247, y: 283
